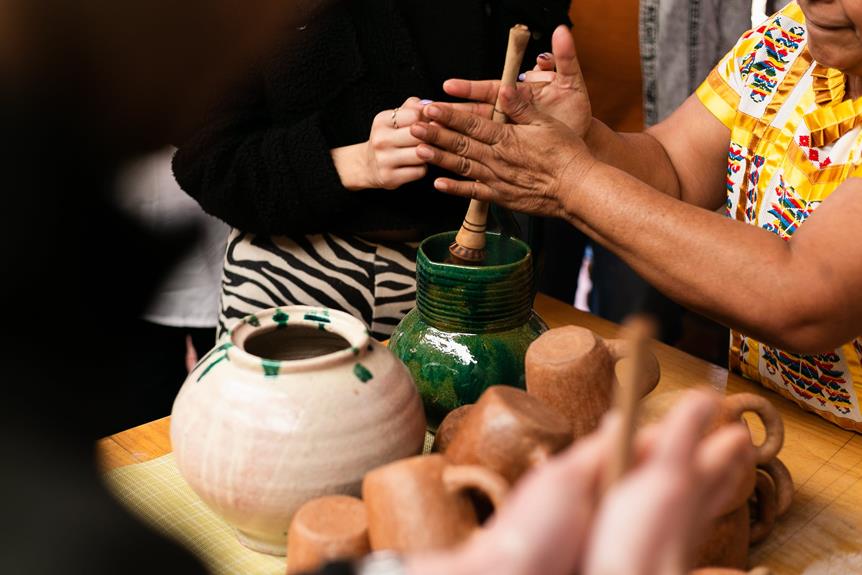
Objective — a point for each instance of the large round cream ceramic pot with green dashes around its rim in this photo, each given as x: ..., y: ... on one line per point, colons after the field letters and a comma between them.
x: 301, y: 402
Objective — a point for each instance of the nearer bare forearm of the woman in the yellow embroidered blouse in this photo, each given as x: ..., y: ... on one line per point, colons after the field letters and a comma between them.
x: 696, y: 257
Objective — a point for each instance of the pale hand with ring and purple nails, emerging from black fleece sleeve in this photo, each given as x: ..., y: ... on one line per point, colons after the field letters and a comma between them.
x: 388, y: 159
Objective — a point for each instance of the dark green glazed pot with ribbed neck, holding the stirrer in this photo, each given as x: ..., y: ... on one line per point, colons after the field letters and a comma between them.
x: 471, y: 325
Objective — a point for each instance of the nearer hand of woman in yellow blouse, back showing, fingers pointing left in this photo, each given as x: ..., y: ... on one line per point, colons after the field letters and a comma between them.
x: 520, y: 167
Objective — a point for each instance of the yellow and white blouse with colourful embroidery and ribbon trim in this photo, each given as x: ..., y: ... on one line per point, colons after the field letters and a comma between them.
x: 794, y: 140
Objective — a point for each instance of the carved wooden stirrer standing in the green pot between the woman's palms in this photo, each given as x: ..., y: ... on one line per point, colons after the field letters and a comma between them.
x: 469, y: 245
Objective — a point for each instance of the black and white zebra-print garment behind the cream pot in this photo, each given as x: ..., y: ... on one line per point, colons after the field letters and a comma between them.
x: 374, y: 282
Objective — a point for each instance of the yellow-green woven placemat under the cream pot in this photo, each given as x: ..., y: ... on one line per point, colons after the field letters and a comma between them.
x: 156, y: 492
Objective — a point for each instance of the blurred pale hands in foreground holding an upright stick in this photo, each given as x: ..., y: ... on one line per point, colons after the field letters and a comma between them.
x: 556, y: 521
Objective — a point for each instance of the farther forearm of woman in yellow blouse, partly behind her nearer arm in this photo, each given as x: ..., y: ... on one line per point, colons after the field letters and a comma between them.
x: 637, y: 154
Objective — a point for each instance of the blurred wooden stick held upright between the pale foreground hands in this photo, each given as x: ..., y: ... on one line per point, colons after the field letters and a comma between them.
x: 630, y: 372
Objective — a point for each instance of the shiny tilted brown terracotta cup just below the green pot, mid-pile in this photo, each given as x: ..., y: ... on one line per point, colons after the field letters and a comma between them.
x: 508, y: 431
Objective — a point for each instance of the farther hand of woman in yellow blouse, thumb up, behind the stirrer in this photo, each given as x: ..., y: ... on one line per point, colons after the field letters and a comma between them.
x: 561, y: 94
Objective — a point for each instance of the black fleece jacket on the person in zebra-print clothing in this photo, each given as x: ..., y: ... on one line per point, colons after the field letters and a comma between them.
x: 263, y: 164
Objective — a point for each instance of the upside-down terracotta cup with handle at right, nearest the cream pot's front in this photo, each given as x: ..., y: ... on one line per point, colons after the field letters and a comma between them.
x: 422, y: 503
